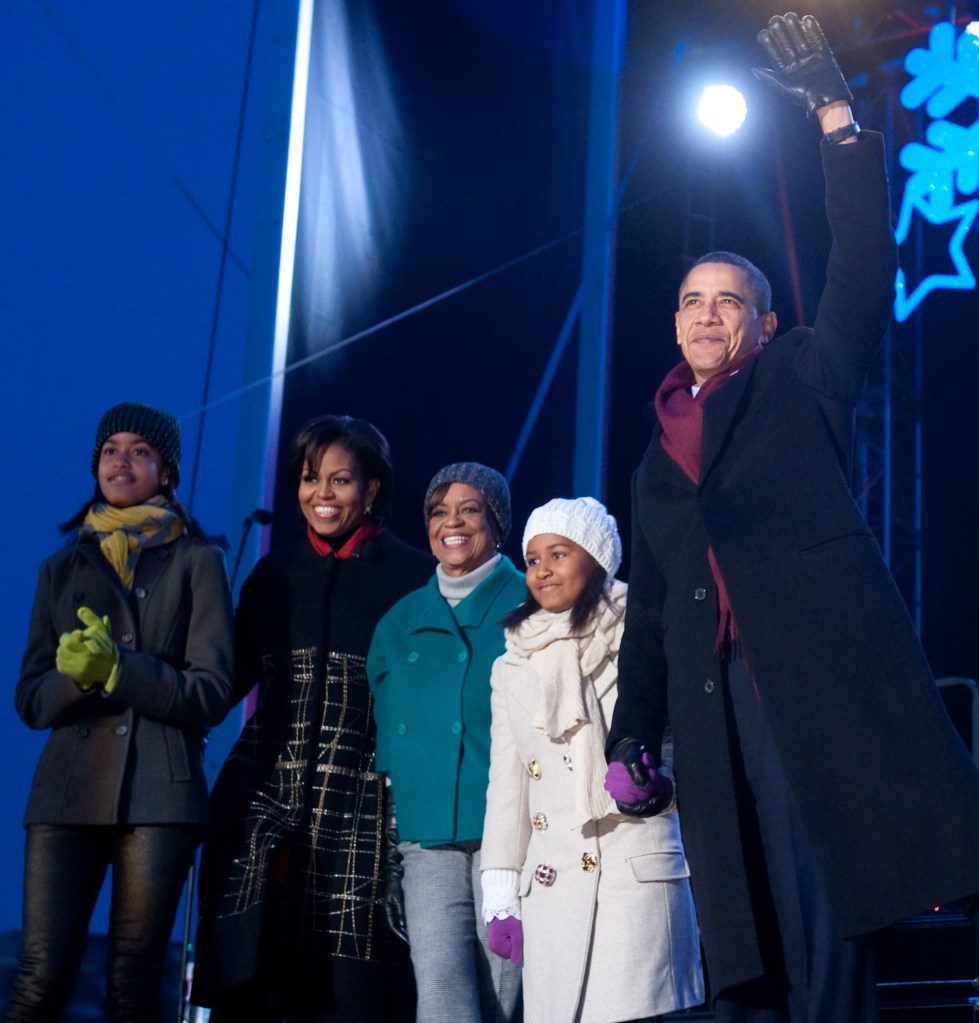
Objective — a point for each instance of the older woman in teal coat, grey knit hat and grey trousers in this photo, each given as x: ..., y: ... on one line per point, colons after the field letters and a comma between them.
x: 430, y: 672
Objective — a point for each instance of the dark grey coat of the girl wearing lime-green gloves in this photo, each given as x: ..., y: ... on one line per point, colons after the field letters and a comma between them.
x: 135, y: 757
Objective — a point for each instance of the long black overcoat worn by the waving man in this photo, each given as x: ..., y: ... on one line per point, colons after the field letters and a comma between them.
x: 888, y: 794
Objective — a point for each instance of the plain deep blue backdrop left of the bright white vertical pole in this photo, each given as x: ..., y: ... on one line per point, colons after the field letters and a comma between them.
x: 119, y: 125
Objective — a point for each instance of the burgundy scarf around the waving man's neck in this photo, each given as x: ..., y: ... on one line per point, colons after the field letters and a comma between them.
x: 682, y: 417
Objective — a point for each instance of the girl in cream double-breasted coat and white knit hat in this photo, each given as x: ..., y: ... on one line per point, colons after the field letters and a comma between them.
x: 598, y: 904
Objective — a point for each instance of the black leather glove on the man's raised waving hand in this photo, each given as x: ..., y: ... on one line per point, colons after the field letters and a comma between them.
x: 806, y: 70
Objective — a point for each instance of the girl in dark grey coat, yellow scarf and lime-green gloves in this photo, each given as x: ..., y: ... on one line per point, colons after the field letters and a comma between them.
x: 128, y: 663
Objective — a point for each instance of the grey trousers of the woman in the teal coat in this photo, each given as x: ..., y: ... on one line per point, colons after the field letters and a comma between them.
x: 459, y: 980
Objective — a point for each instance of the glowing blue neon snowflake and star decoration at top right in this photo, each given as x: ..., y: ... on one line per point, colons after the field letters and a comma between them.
x: 944, y: 77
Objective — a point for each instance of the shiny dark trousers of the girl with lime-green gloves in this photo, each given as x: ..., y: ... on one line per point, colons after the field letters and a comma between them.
x: 65, y: 870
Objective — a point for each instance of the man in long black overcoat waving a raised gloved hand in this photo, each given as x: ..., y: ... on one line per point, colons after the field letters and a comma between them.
x: 823, y: 791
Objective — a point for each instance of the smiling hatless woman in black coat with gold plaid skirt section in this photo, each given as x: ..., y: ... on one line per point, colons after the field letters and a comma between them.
x: 292, y: 875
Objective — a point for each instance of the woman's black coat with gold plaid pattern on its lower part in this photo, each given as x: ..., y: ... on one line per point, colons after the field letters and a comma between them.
x: 302, y: 773
